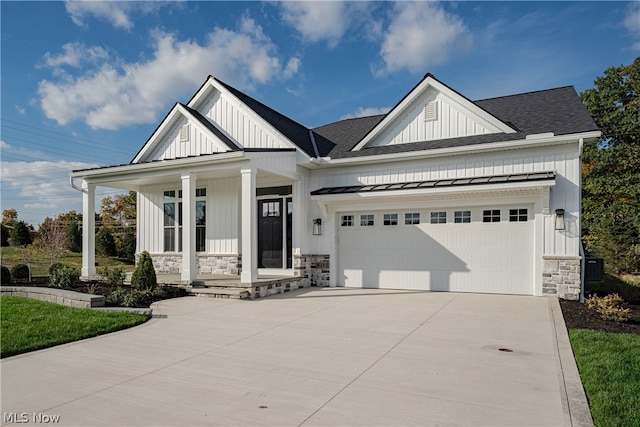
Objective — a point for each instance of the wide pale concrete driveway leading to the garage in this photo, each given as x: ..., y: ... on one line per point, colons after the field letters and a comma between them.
x: 313, y: 357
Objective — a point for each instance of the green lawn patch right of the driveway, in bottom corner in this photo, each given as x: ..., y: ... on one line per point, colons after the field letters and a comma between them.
x: 609, y: 367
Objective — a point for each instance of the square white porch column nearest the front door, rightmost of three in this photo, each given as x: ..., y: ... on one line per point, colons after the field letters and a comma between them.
x: 249, y: 273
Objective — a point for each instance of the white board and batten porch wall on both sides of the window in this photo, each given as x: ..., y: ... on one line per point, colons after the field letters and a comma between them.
x: 222, y: 215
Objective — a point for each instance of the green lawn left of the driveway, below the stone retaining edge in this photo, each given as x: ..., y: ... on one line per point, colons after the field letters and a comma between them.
x: 28, y: 325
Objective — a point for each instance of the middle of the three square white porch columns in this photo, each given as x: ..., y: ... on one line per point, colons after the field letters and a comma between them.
x: 189, y: 267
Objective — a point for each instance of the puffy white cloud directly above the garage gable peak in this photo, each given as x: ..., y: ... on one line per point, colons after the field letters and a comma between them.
x: 421, y: 35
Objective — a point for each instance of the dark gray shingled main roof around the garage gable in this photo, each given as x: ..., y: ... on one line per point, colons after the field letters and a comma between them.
x: 557, y: 110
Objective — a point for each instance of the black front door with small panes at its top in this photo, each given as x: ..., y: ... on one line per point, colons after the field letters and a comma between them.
x: 270, y: 223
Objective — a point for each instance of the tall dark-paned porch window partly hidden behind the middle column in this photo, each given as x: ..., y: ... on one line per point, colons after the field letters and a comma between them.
x: 173, y: 220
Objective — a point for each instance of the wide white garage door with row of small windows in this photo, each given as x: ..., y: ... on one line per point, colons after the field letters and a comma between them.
x: 464, y: 250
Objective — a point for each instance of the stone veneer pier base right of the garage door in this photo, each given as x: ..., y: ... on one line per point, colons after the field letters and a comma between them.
x: 561, y: 276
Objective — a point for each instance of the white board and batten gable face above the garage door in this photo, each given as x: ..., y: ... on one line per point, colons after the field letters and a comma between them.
x: 432, y: 116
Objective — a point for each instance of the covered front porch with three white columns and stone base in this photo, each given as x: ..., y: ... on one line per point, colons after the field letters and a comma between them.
x: 207, y: 208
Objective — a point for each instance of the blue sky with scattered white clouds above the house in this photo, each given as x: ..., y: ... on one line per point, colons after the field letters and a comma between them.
x: 85, y: 83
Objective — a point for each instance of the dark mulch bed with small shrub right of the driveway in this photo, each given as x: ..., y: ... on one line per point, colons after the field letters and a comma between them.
x: 579, y: 316
